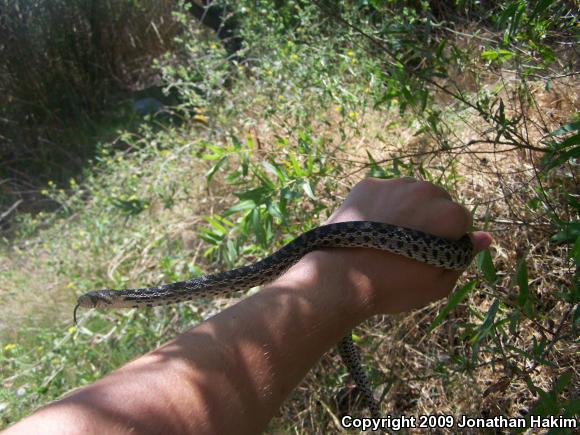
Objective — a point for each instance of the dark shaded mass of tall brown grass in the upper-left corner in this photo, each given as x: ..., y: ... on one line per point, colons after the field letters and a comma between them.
x: 67, y: 80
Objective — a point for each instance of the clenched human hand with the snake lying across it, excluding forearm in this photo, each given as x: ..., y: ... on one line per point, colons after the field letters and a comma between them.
x: 390, y: 283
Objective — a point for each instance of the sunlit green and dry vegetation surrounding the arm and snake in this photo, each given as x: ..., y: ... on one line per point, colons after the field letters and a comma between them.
x: 478, y: 97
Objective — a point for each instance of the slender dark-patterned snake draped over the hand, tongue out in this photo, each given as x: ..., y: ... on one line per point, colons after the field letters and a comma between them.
x: 411, y: 243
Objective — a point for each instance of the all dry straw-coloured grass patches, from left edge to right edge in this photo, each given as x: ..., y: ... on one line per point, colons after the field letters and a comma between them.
x: 417, y: 370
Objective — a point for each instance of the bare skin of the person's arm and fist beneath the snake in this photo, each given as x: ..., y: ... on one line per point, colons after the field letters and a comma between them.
x: 231, y: 373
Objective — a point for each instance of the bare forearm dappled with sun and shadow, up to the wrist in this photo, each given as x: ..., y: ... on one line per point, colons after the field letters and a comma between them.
x: 228, y: 374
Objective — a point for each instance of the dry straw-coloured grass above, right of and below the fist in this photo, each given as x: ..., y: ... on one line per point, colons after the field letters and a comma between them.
x: 497, y: 182
